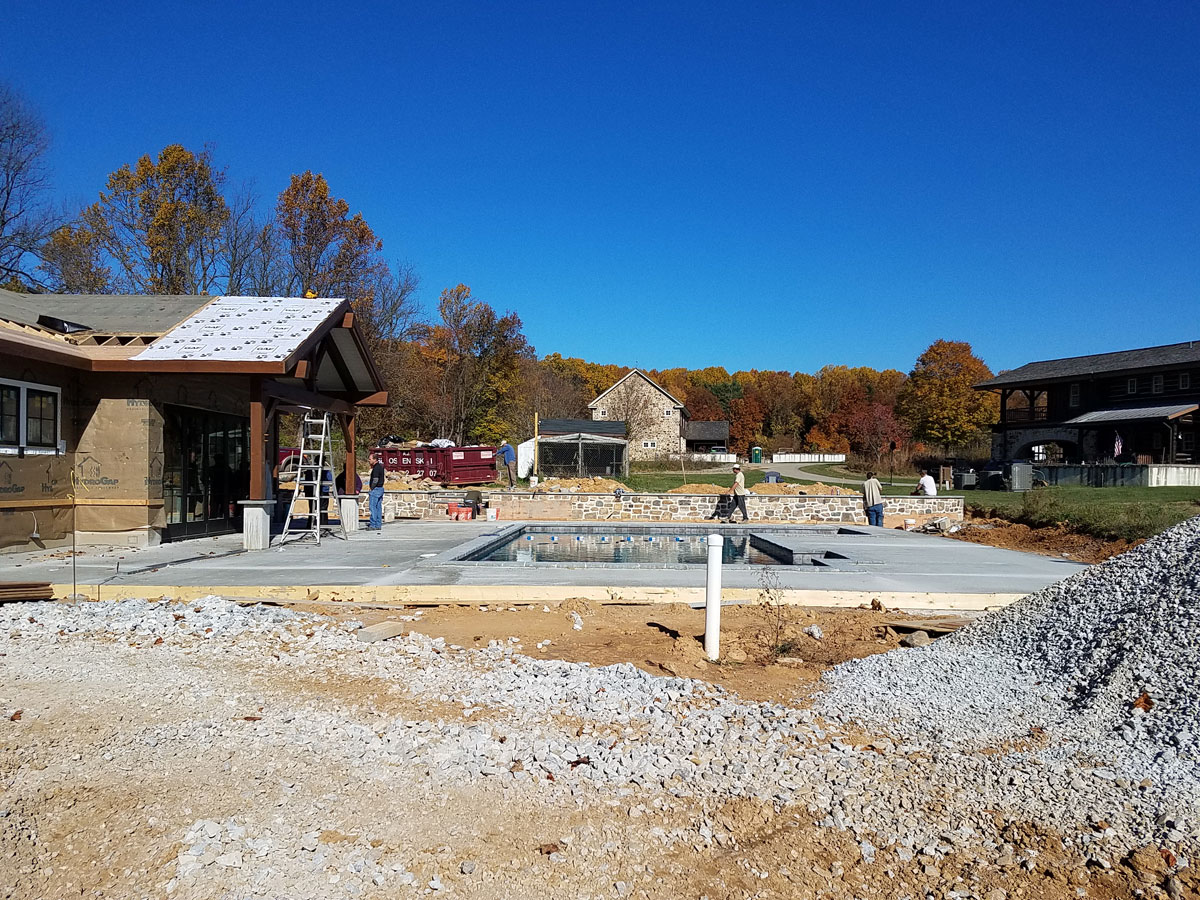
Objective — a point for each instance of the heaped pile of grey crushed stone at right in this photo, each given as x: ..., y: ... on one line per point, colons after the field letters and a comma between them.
x: 1106, y: 663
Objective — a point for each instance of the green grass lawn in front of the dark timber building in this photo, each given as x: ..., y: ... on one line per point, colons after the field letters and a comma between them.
x: 1129, y: 513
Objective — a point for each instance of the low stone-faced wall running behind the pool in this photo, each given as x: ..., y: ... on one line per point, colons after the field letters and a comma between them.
x: 662, y: 507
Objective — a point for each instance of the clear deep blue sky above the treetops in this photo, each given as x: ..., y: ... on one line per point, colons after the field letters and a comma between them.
x: 748, y: 185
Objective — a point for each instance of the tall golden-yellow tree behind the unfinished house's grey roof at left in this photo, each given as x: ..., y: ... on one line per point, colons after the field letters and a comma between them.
x: 161, y: 224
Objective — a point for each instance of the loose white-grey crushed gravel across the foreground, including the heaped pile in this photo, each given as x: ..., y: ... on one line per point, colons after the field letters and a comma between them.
x: 617, y: 737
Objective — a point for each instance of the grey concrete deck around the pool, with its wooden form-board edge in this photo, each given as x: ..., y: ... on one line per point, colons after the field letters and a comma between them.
x: 412, y: 562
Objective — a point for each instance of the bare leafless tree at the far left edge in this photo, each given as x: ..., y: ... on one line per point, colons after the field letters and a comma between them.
x: 26, y: 218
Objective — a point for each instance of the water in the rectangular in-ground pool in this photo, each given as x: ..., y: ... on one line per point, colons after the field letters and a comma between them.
x: 620, y: 547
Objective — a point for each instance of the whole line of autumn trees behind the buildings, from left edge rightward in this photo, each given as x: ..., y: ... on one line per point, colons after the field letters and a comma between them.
x: 175, y: 224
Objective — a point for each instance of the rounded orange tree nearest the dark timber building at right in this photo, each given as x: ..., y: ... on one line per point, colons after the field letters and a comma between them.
x: 939, y: 401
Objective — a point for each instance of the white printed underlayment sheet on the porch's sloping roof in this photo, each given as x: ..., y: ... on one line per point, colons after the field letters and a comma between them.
x: 243, y: 329
